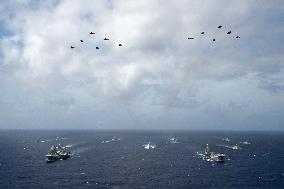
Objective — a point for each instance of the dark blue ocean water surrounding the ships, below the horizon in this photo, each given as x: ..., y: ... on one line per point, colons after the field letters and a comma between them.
x: 117, y: 159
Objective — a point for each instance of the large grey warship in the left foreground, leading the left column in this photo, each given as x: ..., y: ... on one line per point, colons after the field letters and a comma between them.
x: 57, y: 153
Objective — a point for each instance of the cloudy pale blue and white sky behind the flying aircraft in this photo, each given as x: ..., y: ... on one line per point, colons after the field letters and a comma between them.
x: 157, y: 80
